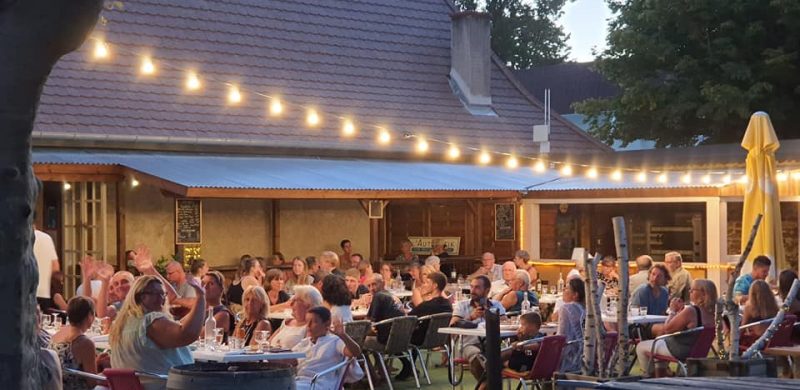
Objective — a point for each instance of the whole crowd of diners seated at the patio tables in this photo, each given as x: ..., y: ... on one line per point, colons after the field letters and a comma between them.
x: 152, y: 319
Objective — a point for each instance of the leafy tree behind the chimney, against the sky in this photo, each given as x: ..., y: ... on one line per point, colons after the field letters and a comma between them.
x: 525, y: 35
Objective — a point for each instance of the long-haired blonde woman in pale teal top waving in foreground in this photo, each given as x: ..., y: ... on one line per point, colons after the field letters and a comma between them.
x: 144, y: 337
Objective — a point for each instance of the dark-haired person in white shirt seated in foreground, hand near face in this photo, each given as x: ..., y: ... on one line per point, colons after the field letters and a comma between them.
x: 323, y: 350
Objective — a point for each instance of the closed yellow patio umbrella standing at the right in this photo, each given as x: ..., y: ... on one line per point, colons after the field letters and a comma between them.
x: 761, y: 191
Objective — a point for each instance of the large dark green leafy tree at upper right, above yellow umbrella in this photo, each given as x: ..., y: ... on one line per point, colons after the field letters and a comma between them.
x: 693, y: 71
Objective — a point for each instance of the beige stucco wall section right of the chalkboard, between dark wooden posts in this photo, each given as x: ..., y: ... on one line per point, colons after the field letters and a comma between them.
x: 308, y: 227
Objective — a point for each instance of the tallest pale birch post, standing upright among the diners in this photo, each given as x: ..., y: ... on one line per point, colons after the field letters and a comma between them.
x: 621, y: 242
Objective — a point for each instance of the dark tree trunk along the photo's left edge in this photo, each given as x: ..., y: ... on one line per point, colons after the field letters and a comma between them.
x: 34, y: 34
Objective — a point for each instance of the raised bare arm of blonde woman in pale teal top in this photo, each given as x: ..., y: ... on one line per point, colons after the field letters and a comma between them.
x: 172, y: 334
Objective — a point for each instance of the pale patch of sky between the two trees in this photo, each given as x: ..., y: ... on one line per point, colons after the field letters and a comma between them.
x: 586, y: 21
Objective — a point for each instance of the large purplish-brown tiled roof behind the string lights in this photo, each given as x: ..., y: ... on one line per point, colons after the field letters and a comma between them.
x: 381, y: 61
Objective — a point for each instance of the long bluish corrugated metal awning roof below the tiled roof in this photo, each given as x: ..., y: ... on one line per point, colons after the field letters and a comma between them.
x: 257, y: 172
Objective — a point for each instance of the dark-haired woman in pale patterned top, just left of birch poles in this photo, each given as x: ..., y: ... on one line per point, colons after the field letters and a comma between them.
x: 571, y: 316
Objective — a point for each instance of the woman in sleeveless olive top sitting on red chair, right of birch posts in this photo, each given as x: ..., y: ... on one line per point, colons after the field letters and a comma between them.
x: 703, y: 295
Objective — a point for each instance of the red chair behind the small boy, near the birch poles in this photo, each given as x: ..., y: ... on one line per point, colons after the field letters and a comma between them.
x: 547, y: 362
